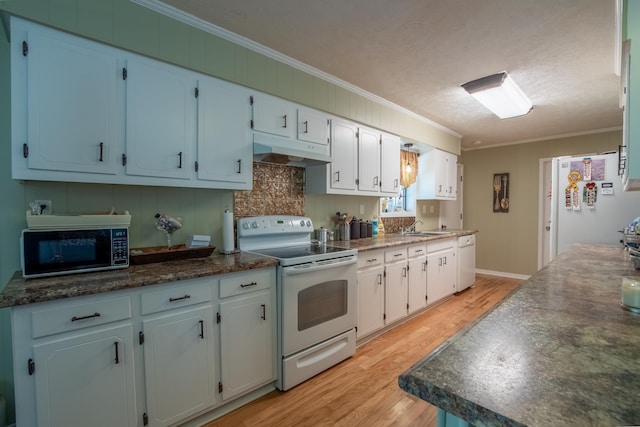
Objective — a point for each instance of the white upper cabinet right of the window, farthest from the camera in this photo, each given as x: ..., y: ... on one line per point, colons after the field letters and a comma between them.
x: 437, y: 176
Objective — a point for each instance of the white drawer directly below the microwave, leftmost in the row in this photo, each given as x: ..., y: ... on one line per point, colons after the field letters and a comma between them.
x: 72, y: 315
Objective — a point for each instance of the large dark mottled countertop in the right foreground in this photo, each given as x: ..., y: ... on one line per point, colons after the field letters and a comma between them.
x: 559, y: 351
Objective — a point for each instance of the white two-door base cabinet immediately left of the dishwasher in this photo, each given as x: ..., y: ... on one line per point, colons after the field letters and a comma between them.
x: 441, y: 269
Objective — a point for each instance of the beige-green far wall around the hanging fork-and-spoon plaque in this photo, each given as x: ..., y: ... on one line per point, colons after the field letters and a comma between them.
x: 508, y: 242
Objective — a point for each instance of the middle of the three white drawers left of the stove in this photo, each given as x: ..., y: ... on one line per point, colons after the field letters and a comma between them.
x: 175, y: 296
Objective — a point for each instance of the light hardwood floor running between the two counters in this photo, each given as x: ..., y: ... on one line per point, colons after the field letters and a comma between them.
x: 363, y: 390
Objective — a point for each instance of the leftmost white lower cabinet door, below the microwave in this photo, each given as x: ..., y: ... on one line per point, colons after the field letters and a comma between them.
x: 100, y: 392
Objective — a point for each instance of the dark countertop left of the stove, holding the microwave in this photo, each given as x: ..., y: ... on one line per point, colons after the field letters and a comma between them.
x: 20, y: 291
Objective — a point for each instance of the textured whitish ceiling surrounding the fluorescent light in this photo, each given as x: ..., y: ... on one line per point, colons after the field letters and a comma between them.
x: 417, y: 53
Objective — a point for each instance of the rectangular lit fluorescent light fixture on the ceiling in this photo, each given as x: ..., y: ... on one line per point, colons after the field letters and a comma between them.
x: 499, y: 94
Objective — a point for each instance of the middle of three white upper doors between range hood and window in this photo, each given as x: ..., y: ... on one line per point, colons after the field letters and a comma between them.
x: 368, y: 160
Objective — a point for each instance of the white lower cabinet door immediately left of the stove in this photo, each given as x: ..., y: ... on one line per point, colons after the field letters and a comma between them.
x: 246, y: 342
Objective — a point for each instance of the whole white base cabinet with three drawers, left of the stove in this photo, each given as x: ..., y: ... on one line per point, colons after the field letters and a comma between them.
x: 76, y: 362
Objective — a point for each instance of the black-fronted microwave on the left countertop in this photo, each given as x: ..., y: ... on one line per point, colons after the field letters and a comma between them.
x: 54, y: 252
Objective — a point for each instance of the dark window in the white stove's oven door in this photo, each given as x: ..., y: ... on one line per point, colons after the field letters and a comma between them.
x: 321, y: 303
